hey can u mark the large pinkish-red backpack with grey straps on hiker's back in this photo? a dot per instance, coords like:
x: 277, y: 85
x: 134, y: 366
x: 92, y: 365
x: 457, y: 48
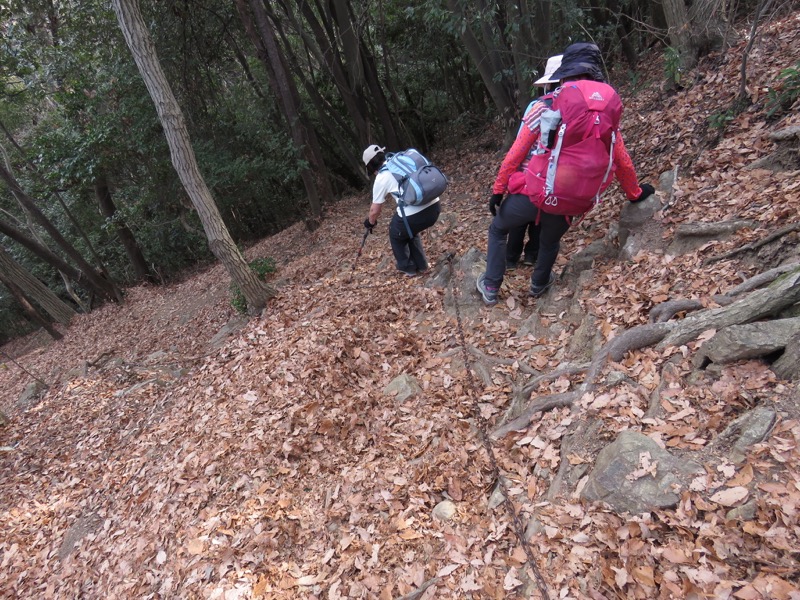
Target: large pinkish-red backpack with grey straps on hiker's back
x: 573, y: 162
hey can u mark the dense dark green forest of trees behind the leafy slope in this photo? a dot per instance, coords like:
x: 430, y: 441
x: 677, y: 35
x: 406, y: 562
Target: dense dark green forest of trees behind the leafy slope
x: 275, y: 101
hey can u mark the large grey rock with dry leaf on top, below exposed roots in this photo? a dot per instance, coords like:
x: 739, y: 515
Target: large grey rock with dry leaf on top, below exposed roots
x: 618, y: 480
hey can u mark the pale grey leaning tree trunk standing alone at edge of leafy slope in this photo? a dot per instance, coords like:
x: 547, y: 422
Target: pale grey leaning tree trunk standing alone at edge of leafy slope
x: 255, y: 291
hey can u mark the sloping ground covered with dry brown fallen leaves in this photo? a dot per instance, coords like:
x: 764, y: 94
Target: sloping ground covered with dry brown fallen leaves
x: 165, y: 462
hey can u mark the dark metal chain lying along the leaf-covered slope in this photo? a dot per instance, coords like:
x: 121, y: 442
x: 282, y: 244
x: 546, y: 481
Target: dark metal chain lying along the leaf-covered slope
x: 487, y: 445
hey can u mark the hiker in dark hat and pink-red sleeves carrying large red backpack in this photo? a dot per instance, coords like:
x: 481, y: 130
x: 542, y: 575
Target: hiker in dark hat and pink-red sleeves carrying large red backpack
x: 575, y: 150
